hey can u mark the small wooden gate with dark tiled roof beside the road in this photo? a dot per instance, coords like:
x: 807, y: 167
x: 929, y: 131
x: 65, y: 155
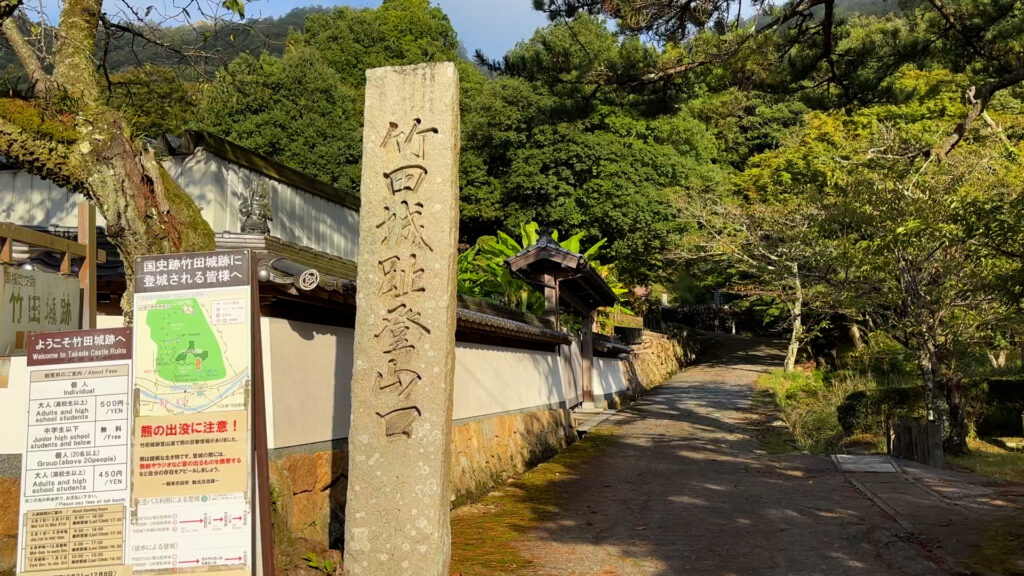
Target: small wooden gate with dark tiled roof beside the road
x: 566, y: 276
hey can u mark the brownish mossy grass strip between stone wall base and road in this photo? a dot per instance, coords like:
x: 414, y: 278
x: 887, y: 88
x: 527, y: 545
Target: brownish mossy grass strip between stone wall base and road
x: 483, y: 533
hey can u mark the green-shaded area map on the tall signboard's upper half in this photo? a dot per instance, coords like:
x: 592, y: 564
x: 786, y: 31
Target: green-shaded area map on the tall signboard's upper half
x: 192, y: 353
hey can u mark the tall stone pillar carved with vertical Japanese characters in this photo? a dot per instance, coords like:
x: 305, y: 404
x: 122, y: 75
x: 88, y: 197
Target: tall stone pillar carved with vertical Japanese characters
x: 397, y: 519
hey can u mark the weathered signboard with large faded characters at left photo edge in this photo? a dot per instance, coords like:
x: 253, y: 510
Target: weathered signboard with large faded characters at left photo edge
x: 32, y: 301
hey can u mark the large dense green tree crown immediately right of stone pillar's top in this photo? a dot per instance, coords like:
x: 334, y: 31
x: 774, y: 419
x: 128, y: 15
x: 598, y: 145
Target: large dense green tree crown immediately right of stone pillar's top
x: 551, y: 141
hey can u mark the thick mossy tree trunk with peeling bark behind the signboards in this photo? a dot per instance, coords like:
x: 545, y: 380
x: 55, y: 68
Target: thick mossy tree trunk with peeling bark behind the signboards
x: 67, y: 135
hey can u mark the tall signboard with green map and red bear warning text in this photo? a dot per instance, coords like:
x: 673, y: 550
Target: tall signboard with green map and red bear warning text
x: 192, y: 497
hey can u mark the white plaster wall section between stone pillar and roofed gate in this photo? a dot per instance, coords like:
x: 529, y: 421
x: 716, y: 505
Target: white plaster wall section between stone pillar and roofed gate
x: 493, y: 380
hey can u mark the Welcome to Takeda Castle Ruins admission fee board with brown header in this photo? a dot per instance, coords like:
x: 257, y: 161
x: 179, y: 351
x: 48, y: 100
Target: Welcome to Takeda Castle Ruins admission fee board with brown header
x: 76, y: 471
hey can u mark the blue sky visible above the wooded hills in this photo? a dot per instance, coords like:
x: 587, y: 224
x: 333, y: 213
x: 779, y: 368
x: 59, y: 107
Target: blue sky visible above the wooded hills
x: 493, y: 26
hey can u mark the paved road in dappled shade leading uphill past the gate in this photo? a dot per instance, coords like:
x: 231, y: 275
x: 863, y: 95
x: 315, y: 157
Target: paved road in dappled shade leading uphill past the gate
x: 682, y: 490
